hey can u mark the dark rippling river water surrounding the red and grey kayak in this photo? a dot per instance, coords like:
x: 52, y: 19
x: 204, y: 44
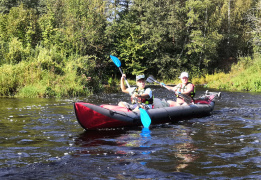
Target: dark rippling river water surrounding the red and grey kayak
x: 41, y: 139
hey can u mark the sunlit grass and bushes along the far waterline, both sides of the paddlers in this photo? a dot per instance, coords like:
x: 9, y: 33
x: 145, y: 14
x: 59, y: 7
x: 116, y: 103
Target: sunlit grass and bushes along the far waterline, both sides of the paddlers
x: 47, y: 73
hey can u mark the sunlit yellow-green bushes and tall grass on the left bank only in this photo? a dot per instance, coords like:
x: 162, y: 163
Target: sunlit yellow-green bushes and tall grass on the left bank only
x: 46, y: 75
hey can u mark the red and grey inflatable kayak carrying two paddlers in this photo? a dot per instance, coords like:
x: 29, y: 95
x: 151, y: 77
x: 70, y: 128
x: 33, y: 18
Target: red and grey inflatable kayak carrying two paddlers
x: 92, y: 116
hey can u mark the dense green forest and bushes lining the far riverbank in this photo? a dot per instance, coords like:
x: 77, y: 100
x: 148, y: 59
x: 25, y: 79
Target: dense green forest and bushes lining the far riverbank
x: 63, y: 47
